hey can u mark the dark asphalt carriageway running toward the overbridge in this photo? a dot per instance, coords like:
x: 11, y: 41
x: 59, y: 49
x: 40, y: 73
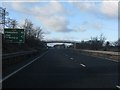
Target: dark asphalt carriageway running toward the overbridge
x: 66, y: 68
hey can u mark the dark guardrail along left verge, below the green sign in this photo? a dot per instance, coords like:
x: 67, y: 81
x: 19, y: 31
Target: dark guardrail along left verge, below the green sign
x: 15, y: 58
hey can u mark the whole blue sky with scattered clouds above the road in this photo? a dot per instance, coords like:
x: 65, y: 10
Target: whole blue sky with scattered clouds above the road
x: 68, y: 20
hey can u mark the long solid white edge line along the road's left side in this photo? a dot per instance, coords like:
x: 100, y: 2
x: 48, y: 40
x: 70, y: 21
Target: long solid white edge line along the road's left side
x: 22, y: 67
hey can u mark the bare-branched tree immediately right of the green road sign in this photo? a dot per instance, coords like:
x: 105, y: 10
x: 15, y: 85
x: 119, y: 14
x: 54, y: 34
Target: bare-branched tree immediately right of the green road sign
x: 33, y: 35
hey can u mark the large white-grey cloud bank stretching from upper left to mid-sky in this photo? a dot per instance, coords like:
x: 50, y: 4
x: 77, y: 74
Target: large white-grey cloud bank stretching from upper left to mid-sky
x: 51, y: 14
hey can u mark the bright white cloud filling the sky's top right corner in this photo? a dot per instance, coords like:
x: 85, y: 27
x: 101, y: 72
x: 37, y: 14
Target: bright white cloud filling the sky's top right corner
x: 103, y: 8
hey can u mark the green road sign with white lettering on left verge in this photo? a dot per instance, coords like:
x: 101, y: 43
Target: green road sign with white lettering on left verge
x: 14, y: 35
